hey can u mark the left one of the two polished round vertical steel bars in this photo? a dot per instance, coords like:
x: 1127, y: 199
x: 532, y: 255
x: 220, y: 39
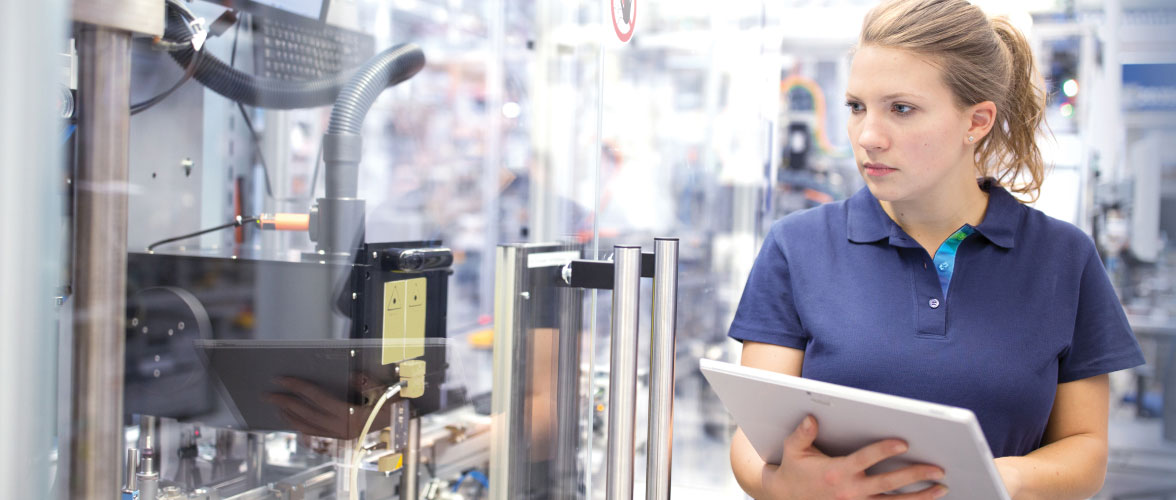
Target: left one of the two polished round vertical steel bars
x: 623, y: 378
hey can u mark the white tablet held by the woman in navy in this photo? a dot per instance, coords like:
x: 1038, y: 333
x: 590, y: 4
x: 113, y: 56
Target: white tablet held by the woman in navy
x: 769, y: 406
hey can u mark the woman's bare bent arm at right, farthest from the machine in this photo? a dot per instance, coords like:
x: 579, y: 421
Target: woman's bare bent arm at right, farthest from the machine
x: 1073, y: 464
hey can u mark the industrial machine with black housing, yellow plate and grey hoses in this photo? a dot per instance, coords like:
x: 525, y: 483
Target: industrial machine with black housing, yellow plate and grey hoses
x: 320, y: 374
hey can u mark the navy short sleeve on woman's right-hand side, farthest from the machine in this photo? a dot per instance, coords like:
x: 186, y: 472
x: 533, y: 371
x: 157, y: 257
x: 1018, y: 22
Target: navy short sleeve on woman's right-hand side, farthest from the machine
x: 1104, y: 341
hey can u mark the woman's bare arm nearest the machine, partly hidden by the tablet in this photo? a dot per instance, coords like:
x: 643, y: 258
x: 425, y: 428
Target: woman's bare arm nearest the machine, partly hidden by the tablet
x: 750, y: 469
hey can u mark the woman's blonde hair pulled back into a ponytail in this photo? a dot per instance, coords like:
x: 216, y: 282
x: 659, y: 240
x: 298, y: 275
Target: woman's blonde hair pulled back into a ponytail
x: 981, y: 59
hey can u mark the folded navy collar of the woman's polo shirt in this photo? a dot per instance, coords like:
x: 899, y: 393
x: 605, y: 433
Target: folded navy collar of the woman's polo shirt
x: 868, y: 223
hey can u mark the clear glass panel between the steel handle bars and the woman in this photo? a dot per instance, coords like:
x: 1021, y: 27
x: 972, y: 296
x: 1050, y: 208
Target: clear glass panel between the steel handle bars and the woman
x: 690, y: 131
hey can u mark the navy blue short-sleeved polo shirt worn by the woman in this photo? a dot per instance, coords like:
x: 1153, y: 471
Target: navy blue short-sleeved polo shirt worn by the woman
x: 1028, y: 306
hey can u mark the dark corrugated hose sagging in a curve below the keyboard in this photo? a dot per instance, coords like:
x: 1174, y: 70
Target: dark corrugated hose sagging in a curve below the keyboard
x: 265, y: 92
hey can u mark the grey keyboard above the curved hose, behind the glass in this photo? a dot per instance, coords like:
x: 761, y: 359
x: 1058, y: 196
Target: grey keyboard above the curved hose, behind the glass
x: 298, y: 49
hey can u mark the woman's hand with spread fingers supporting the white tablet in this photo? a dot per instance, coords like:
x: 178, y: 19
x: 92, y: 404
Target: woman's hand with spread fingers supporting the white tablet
x: 805, y: 472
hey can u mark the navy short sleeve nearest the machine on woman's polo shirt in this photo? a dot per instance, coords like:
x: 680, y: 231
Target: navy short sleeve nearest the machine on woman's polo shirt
x: 767, y: 311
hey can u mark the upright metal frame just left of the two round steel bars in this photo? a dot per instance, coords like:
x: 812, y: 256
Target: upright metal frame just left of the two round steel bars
x: 526, y: 286
